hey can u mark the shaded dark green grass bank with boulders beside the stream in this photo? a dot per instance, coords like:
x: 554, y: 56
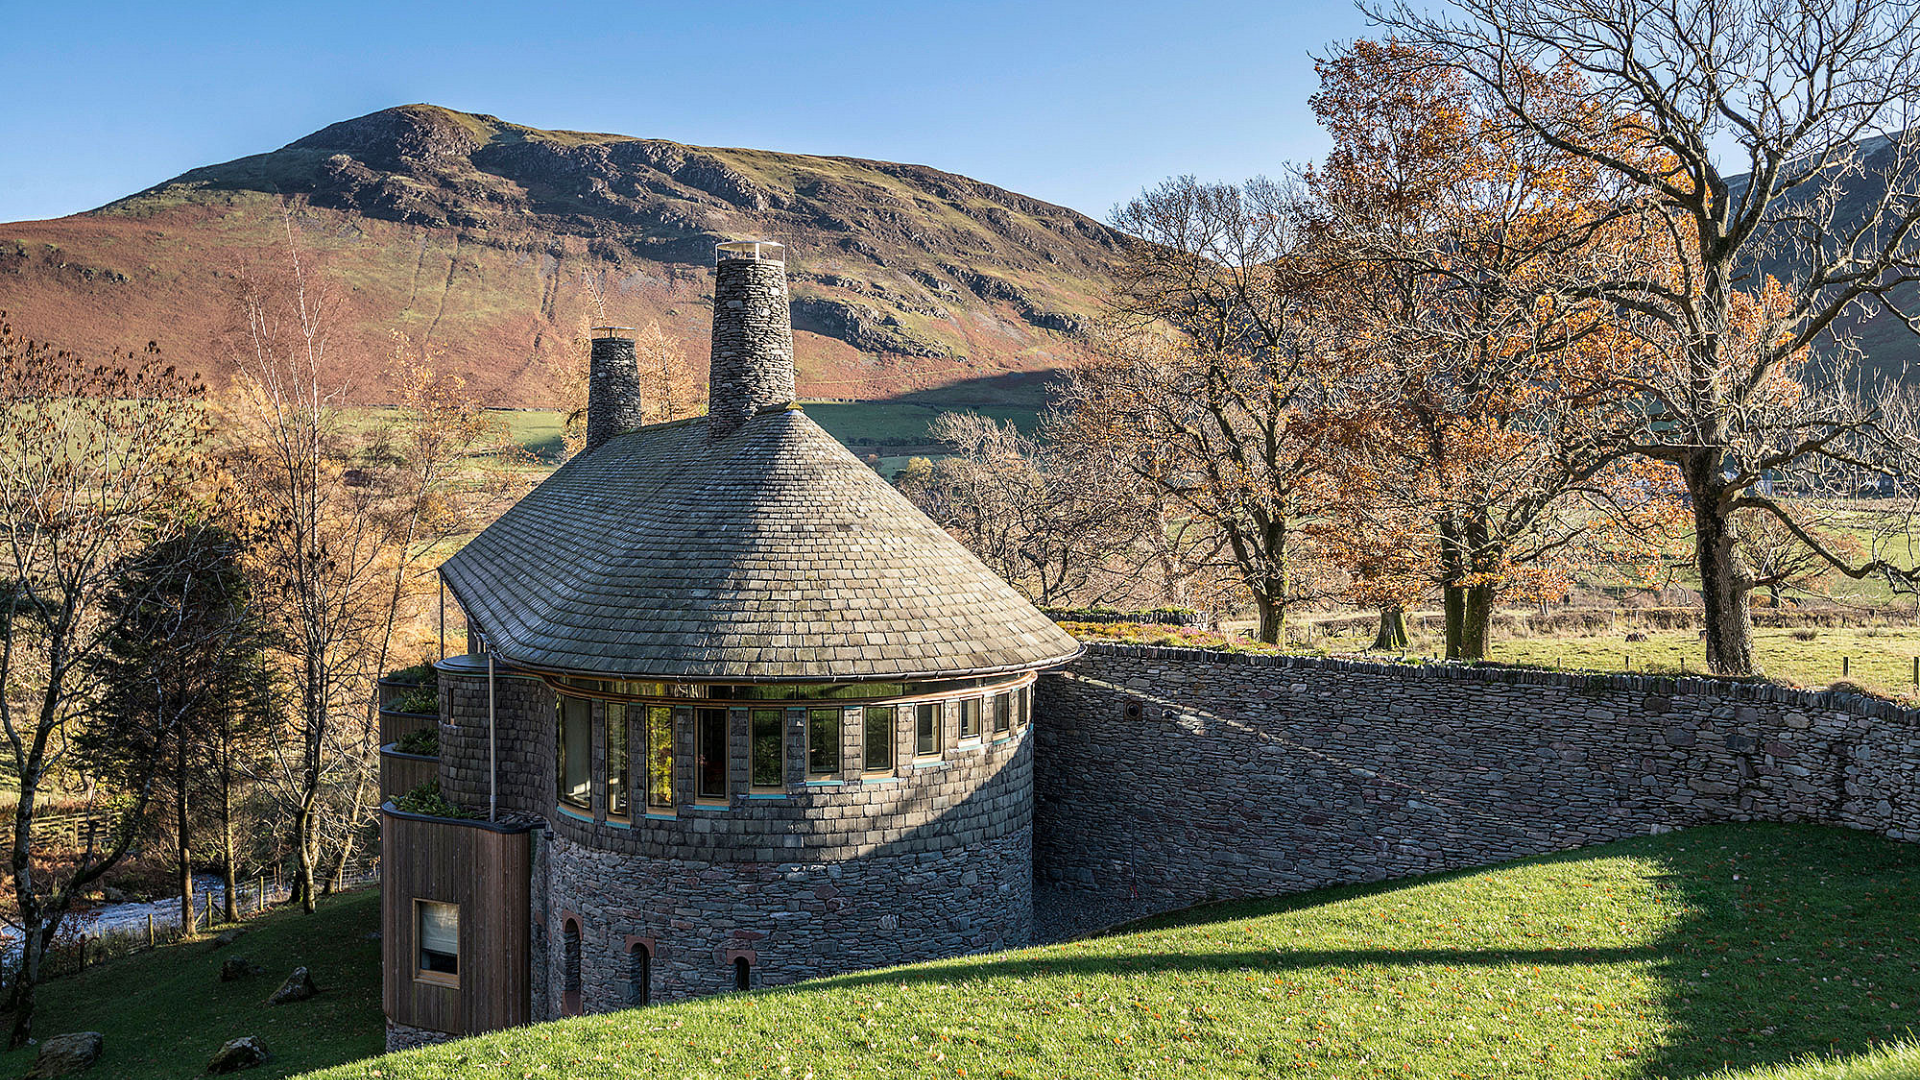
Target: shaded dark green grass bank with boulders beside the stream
x: 166, y: 1012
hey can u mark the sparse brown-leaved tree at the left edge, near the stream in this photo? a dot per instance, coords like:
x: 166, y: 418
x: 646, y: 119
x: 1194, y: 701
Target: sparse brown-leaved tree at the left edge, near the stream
x: 95, y: 460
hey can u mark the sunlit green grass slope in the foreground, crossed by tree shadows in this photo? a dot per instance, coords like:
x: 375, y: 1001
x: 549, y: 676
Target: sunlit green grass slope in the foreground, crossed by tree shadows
x: 1664, y: 956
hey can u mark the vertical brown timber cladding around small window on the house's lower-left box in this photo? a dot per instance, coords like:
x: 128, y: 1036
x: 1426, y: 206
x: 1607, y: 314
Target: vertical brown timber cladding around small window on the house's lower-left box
x: 485, y: 870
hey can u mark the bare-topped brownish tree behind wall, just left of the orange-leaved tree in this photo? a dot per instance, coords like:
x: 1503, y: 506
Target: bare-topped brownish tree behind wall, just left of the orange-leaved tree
x: 1207, y: 380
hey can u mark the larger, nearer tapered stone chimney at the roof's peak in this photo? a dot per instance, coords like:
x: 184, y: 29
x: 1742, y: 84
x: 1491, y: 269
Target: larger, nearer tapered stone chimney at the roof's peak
x: 754, y: 335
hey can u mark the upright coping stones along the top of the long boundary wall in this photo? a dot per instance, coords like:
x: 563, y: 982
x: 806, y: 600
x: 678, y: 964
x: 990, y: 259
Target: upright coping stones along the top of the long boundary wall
x: 1602, y: 681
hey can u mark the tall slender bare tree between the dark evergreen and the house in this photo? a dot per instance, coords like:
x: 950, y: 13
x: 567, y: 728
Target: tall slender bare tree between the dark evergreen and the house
x: 318, y: 541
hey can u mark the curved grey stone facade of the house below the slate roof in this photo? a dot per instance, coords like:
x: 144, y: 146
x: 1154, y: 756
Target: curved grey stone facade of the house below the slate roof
x: 926, y: 860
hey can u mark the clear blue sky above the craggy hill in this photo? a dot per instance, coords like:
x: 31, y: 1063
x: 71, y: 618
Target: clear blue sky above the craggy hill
x: 1076, y: 103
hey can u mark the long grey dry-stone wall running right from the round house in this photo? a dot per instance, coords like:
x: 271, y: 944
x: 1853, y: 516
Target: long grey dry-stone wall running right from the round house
x: 1170, y: 777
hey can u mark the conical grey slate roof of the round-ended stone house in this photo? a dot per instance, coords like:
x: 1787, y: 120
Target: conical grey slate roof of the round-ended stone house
x: 769, y: 554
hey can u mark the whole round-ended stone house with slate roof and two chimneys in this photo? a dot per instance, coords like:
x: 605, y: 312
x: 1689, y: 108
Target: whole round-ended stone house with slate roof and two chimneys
x: 732, y: 714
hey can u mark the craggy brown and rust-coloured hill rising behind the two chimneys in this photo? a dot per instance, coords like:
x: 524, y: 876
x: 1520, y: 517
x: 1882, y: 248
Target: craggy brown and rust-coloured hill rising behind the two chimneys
x: 483, y: 237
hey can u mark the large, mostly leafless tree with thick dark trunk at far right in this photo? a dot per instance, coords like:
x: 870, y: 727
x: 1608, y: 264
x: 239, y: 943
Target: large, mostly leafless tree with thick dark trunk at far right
x: 1777, y: 178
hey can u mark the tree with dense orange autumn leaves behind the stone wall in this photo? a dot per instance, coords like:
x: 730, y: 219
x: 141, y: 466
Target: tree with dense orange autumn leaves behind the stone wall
x: 1479, y: 405
